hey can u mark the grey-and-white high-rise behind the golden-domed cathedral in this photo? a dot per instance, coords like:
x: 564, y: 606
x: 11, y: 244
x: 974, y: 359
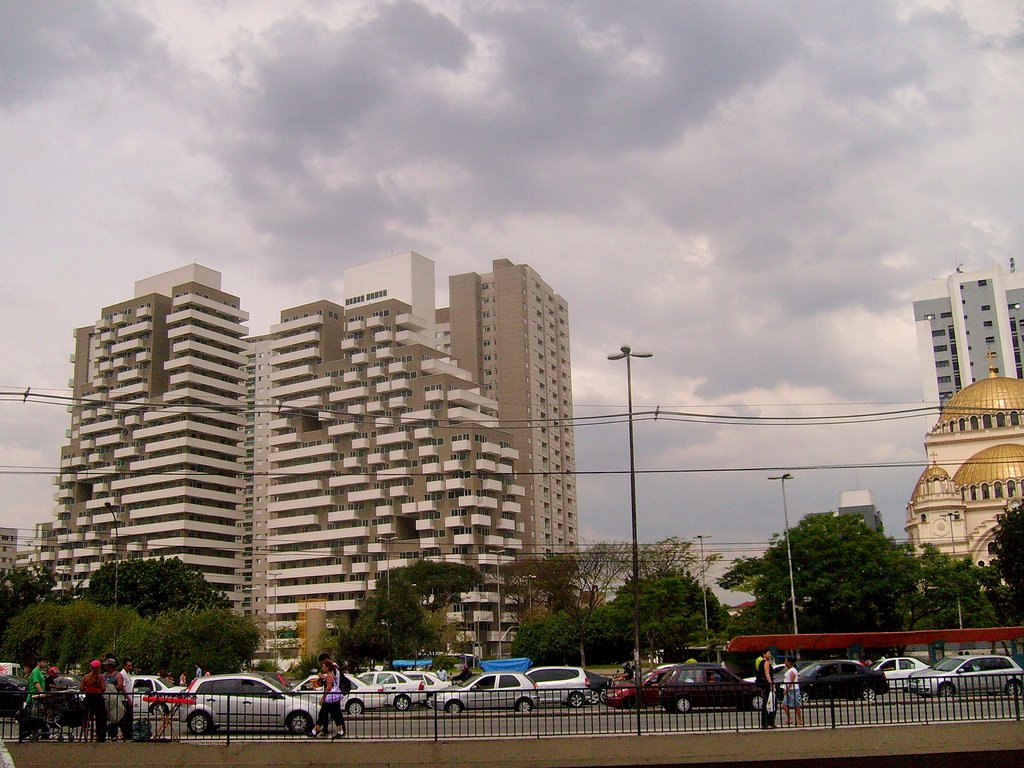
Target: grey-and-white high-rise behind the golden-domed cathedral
x: 966, y: 324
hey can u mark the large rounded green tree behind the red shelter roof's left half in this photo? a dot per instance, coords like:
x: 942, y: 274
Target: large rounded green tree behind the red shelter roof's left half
x: 848, y: 578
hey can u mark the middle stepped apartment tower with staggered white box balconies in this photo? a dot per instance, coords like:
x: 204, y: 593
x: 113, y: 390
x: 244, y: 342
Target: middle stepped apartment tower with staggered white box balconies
x: 383, y: 451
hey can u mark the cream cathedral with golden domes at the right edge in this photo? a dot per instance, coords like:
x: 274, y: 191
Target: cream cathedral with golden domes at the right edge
x: 976, y: 472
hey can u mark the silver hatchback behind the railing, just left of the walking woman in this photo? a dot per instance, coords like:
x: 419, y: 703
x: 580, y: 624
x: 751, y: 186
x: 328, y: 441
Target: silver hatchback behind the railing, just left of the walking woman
x: 249, y: 702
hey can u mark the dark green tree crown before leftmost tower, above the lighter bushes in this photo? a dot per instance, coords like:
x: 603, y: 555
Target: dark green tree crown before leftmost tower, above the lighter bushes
x: 154, y: 586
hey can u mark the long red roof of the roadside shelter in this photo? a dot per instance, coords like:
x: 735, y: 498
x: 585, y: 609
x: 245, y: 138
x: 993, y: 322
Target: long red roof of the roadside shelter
x: 874, y: 639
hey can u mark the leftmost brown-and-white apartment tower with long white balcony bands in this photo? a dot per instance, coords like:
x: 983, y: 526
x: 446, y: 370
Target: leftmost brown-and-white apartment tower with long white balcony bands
x: 154, y: 456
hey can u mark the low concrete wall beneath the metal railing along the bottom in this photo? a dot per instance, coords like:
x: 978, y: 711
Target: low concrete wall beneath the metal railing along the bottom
x: 978, y: 744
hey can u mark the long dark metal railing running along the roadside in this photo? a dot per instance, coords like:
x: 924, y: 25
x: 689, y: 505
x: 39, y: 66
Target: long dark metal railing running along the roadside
x: 452, y: 714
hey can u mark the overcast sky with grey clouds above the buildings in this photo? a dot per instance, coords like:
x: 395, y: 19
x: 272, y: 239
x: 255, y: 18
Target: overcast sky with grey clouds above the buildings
x: 749, y: 191
